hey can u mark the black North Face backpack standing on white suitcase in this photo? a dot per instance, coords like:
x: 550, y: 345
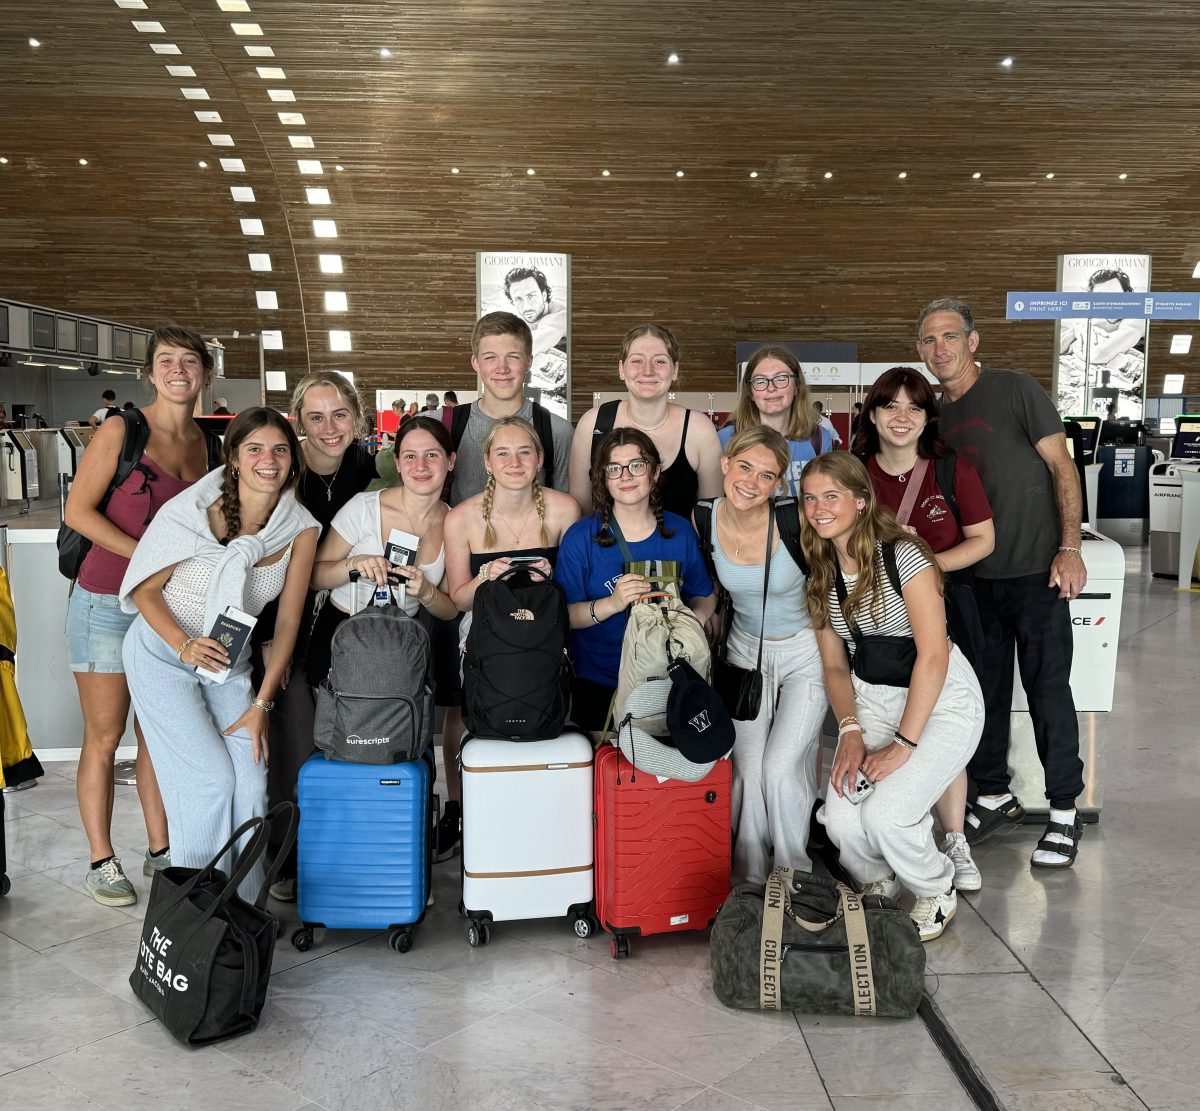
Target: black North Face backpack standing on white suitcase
x: 517, y: 676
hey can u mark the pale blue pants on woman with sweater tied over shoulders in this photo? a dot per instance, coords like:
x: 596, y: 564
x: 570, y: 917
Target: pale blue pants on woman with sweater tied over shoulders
x: 211, y: 784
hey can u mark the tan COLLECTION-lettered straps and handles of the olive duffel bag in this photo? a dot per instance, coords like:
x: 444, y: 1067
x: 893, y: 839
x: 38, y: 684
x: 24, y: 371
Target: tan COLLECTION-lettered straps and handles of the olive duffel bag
x: 778, y: 903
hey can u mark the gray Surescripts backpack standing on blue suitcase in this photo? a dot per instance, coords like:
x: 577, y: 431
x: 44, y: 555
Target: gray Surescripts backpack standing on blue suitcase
x: 376, y: 706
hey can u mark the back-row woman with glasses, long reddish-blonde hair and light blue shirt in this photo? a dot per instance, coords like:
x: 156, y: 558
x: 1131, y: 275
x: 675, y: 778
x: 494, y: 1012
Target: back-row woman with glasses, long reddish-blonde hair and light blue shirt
x: 776, y: 395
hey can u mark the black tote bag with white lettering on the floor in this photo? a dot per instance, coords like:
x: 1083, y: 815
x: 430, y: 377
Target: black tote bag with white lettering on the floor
x: 206, y: 954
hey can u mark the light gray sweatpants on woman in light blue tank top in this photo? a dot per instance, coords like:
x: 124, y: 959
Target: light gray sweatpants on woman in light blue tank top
x: 775, y: 756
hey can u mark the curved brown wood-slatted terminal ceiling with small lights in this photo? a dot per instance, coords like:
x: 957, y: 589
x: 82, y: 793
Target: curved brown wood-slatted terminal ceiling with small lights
x: 842, y: 164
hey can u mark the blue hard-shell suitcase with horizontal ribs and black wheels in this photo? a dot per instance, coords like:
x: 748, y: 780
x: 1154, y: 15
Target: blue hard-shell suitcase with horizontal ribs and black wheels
x: 364, y: 849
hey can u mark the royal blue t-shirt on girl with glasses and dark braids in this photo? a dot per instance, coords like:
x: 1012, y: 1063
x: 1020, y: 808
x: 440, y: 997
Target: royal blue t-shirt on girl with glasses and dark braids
x: 585, y: 572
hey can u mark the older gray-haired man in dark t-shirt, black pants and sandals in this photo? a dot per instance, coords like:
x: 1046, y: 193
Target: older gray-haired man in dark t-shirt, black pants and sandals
x: 1006, y: 425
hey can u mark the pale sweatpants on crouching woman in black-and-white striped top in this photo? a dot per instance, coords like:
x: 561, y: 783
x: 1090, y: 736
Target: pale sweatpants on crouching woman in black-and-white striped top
x: 892, y: 830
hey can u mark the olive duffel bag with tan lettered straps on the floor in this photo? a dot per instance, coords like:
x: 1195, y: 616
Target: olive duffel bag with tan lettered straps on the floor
x: 812, y: 945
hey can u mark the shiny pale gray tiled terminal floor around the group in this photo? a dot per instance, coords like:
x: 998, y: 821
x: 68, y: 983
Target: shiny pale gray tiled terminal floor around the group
x: 1070, y: 990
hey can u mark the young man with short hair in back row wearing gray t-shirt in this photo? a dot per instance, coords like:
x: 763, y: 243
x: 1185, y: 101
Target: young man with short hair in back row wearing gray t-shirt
x: 502, y: 357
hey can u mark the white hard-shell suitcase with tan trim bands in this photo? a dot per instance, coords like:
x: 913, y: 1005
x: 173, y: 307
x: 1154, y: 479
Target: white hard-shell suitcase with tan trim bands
x: 527, y: 842
